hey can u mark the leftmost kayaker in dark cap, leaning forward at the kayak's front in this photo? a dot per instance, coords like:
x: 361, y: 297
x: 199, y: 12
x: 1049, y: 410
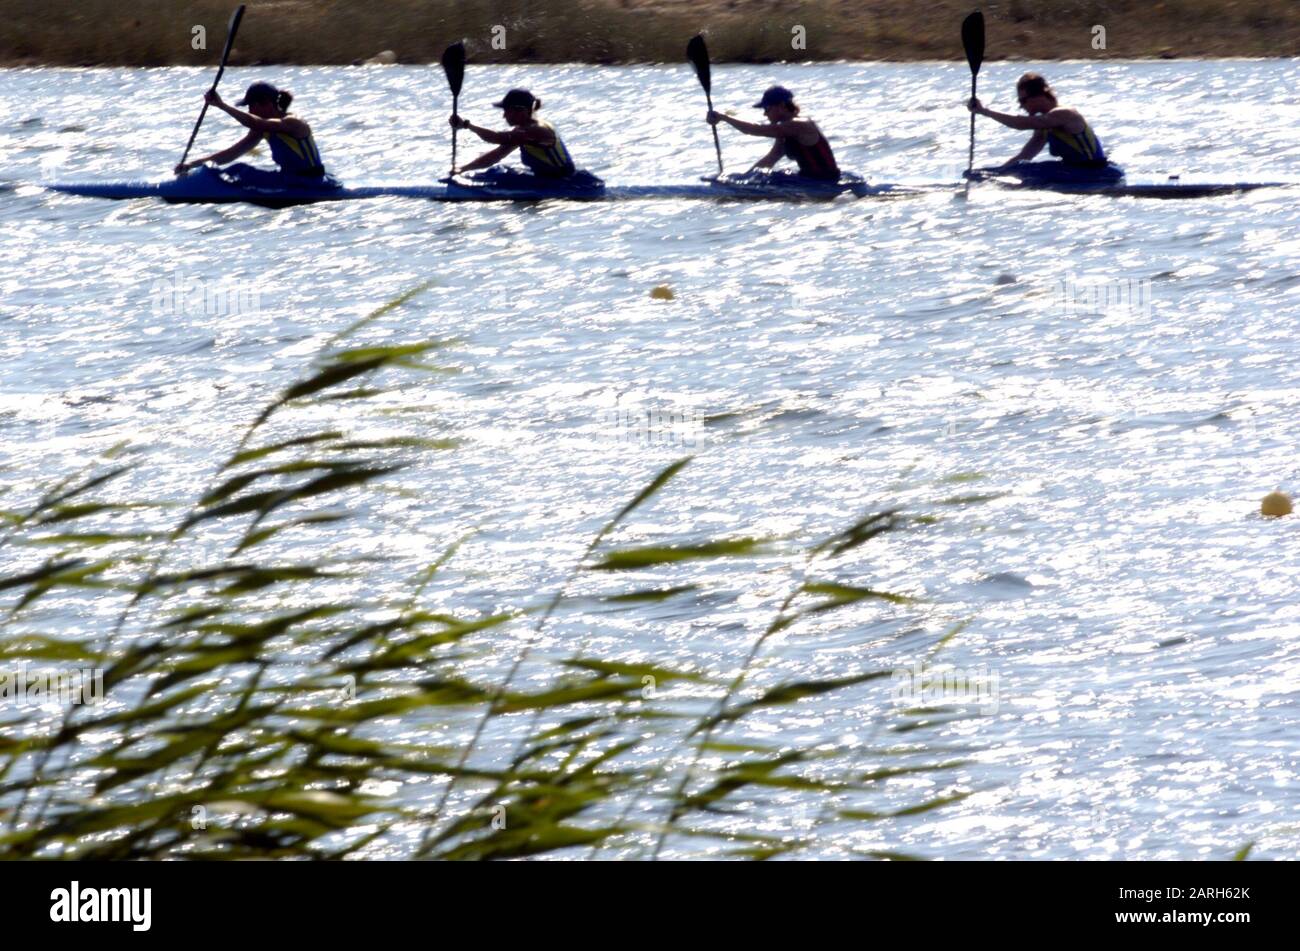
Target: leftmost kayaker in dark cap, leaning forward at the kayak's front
x: 291, y: 140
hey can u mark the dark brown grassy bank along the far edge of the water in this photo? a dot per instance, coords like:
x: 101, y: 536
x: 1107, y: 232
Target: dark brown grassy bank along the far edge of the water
x: 154, y: 33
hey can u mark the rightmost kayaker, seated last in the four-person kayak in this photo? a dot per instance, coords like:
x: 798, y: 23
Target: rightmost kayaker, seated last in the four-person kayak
x: 1078, y: 153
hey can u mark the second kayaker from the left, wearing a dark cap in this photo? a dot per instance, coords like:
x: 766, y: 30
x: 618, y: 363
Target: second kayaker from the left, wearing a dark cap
x: 540, y: 147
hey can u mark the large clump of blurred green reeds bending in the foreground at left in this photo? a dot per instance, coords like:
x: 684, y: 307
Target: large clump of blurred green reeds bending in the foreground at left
x: 270, y: 692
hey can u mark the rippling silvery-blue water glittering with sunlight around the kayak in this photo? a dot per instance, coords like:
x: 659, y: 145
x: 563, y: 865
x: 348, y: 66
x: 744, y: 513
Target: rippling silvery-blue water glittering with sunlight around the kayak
x: 1117, y: 377
